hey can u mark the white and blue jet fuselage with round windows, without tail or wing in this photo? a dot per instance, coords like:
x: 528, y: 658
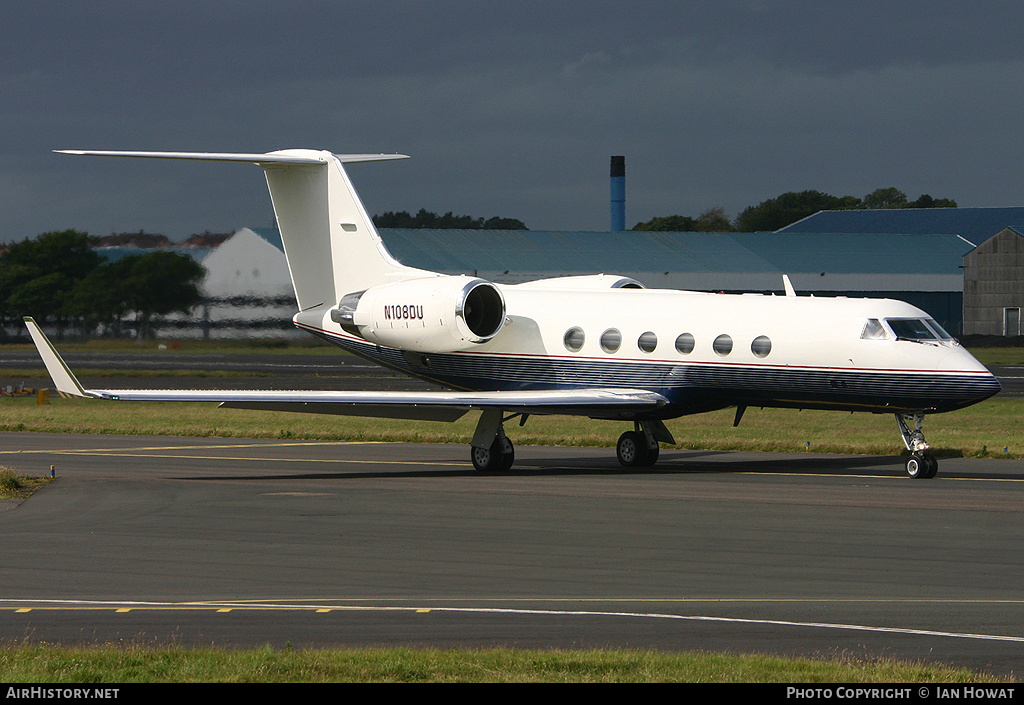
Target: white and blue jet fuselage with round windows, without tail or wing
x: 702, y: 352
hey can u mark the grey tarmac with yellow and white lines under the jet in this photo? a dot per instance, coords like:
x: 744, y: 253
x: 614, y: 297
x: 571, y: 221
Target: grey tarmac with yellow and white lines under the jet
x: 253, y: 543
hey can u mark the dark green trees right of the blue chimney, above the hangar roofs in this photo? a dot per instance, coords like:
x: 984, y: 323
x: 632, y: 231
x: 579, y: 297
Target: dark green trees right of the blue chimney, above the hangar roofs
x: 788, y: 210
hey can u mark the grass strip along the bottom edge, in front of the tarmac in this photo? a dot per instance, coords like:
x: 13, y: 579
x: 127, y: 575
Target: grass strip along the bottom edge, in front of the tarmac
x: 117, y: 665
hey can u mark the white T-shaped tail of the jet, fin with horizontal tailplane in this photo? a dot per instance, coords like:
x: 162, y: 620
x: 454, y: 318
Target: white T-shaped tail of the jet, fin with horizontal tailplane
x: 331, y: 244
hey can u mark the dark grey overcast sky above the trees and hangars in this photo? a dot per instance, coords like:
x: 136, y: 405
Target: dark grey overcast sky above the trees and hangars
x: 508, y: 109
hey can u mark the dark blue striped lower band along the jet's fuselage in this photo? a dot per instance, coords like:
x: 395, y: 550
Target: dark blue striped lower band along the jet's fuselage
x: 692, y: 388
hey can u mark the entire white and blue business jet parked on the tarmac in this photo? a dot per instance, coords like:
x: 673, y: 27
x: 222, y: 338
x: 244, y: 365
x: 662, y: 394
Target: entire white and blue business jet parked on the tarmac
x: 599, y: 346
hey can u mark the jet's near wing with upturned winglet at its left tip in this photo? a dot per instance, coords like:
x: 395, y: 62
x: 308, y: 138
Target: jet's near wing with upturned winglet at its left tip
x: 441, y: 406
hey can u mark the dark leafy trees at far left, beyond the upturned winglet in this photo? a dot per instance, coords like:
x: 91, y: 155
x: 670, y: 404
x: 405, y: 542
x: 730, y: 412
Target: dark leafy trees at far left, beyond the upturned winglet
x: 60, y: 279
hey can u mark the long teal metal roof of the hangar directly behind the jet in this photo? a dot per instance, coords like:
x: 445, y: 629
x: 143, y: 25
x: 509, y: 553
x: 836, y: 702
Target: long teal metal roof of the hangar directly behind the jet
x: 476, y: 251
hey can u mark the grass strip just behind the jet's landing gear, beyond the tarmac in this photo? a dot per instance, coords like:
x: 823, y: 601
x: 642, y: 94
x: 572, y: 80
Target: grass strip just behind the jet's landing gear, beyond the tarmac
x: 983, y: 431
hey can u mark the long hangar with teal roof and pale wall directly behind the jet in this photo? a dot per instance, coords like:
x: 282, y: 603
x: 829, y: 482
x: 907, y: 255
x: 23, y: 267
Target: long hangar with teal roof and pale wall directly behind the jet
x: 824, y: 265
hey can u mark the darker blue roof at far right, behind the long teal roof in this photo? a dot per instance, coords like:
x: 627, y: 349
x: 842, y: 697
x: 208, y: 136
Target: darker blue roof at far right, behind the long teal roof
x: 976, y: 225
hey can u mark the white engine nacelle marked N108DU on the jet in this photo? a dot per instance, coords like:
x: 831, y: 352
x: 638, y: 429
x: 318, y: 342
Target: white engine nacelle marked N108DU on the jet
x: 433, y: 315
